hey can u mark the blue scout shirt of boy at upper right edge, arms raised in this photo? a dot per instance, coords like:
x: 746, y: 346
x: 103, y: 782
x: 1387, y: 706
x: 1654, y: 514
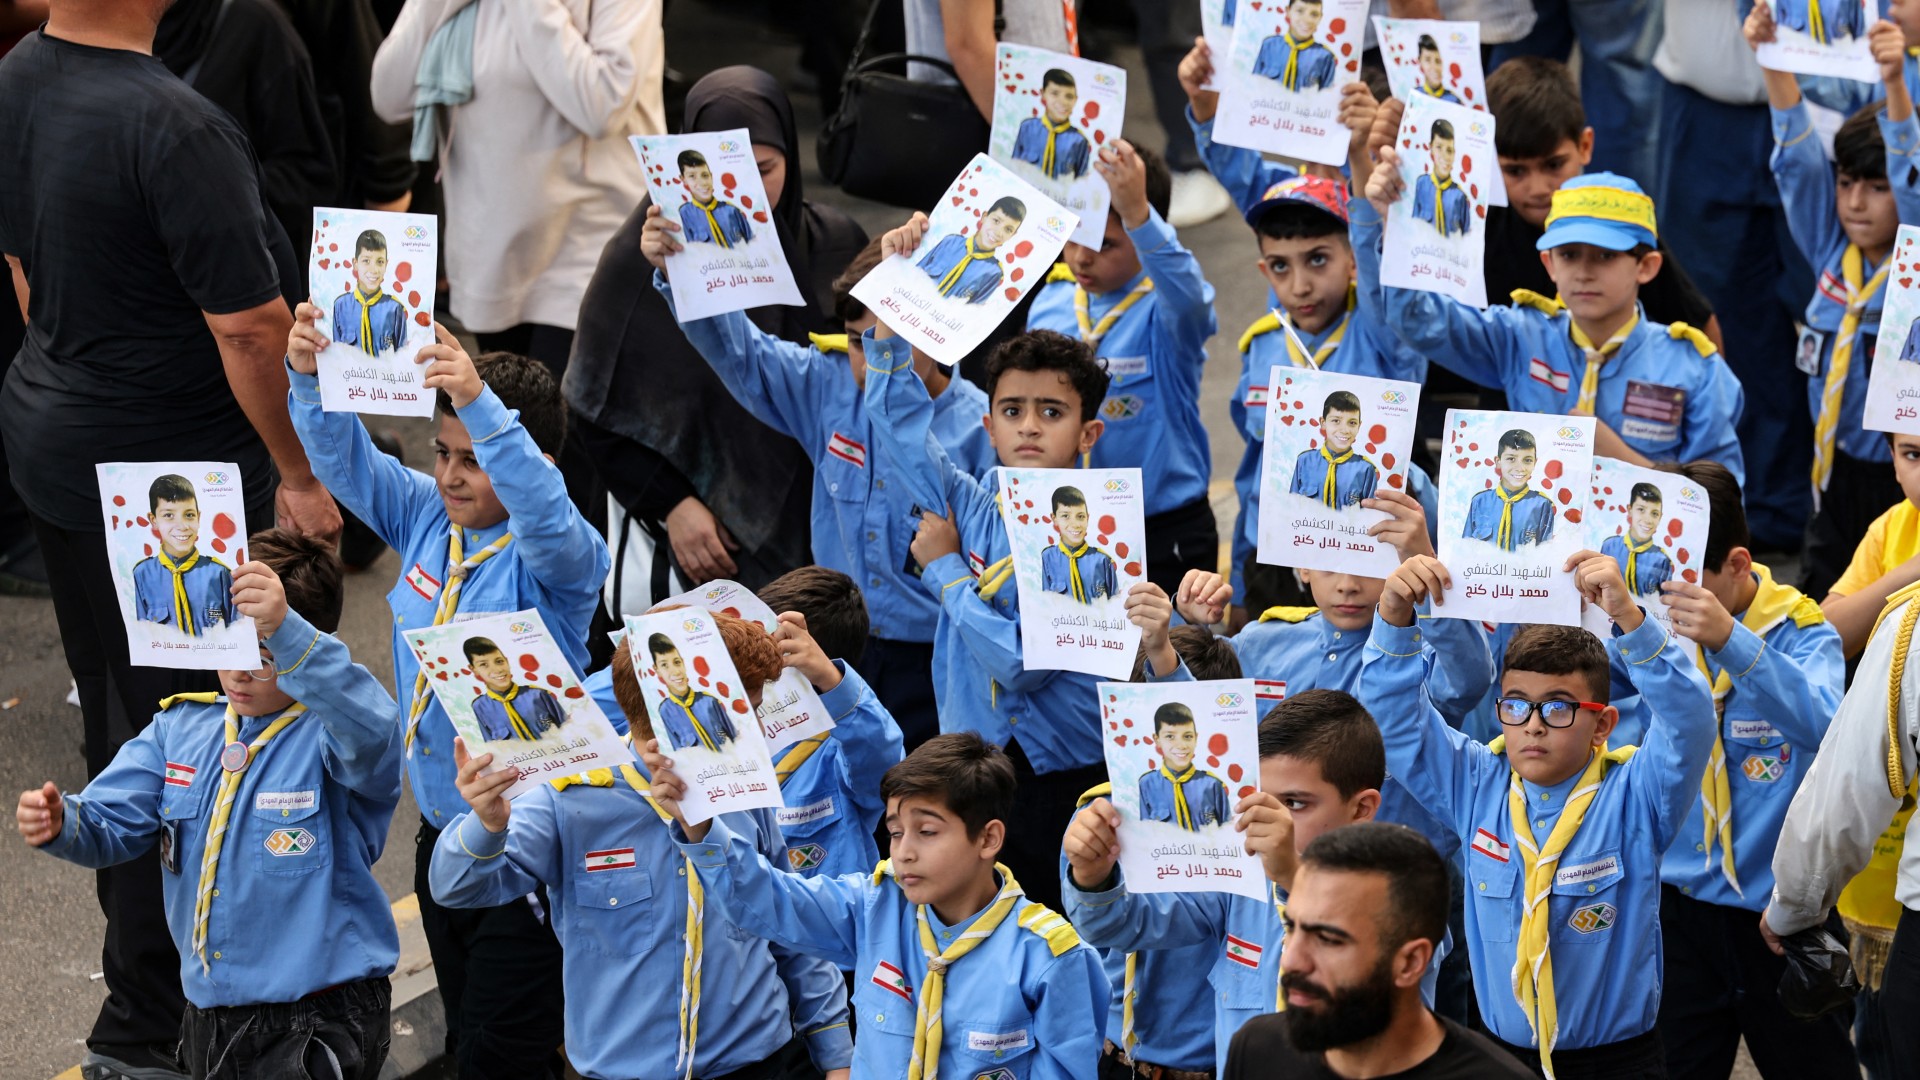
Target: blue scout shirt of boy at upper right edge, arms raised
x: 1806, y: 180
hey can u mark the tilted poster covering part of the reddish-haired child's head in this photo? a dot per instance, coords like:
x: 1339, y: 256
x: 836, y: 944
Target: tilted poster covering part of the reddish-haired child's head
x: 700, y: 708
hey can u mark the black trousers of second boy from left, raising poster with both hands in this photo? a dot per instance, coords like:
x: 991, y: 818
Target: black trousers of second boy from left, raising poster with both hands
x: 500, y: 981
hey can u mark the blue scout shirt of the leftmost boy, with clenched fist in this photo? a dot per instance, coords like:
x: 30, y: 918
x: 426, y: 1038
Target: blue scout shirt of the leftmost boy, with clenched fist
x: 308, y: 823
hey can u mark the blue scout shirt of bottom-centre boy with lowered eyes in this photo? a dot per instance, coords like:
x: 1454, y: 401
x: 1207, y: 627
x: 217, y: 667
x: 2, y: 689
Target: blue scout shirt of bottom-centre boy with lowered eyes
x: 1024, y: 1004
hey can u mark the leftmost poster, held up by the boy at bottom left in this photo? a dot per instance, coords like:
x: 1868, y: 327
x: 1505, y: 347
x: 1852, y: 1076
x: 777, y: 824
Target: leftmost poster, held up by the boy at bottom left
x: 176, y: 533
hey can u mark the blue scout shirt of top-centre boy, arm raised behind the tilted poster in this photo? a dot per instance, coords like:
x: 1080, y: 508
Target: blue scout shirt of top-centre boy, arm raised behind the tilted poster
x: 1155, y: 356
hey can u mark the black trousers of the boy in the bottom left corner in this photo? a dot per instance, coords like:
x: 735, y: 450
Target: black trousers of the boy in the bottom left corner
x: 337, y: 1035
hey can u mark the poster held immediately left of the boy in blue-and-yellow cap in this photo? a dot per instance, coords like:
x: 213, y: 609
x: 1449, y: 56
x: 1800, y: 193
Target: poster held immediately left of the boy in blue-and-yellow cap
x: 1437, y: 232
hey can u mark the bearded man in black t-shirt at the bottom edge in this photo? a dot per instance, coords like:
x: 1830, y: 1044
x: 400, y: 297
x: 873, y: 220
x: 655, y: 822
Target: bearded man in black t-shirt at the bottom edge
x: 1364, y: 918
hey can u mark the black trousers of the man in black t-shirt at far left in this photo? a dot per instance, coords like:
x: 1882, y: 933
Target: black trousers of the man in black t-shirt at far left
x: 118, y: 700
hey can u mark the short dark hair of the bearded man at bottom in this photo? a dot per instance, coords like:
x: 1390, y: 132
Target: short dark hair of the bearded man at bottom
x: 1418, y: 891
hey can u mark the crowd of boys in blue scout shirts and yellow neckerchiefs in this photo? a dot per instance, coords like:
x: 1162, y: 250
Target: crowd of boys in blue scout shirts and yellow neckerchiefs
x: 942, y: 895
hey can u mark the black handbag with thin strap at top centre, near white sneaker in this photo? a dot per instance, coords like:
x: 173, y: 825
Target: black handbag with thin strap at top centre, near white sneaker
x: 894, y: 139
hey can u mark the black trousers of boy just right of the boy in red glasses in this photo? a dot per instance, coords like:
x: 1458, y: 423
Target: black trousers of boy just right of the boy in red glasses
x: 1723, y: 985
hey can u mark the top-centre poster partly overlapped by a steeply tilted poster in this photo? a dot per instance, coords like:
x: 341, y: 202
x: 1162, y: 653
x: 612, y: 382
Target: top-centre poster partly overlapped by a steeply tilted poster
x: 1051, y: 118
